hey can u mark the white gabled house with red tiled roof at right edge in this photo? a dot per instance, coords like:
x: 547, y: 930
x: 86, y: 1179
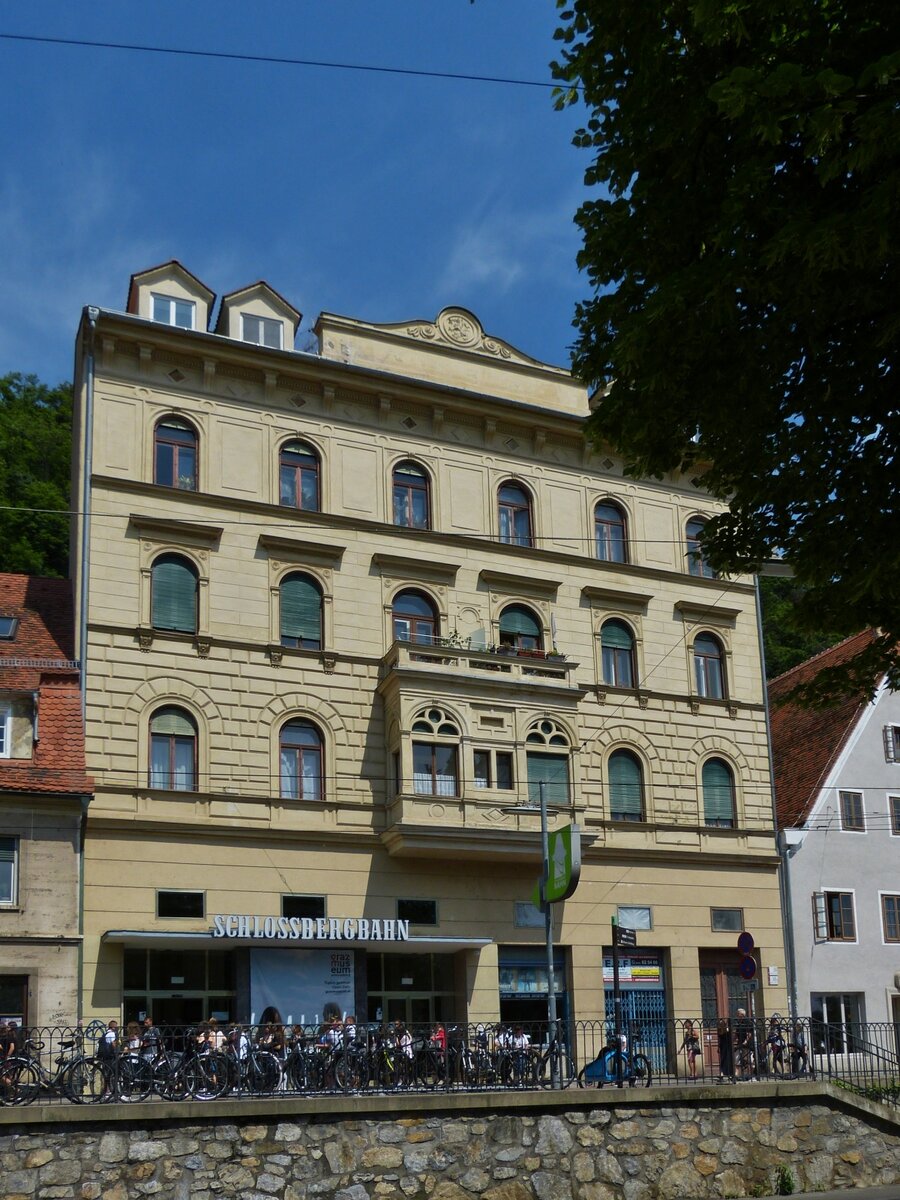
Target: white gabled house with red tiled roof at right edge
x: 838, y: 788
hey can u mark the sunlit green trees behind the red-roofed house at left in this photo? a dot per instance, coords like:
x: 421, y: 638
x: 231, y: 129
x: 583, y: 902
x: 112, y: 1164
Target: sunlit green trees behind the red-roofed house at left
x: 35, y: 455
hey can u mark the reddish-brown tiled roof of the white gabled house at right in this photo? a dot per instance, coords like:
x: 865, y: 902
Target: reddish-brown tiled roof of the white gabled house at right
x: 806, y: 742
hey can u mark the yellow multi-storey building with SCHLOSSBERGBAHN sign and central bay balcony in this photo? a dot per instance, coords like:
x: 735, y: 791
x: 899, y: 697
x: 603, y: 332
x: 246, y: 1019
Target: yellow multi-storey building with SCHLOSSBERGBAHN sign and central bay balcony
x: 340, y: 613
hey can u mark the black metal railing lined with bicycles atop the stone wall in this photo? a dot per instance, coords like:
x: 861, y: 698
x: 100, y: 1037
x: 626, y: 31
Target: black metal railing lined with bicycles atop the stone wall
x: 100, y: 1065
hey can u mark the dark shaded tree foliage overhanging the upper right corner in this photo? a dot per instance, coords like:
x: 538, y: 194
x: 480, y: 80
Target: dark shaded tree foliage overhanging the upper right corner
x: 742, y: 255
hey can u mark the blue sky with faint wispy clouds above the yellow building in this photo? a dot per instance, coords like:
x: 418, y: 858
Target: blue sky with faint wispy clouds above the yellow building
x: 376, y: 196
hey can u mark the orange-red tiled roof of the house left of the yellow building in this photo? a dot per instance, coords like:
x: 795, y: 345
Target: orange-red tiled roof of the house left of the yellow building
x: 39, y: 659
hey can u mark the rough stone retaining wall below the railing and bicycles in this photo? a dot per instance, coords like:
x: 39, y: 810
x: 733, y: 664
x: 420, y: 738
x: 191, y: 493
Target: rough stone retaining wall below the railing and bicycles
x: 535, y: 1148
